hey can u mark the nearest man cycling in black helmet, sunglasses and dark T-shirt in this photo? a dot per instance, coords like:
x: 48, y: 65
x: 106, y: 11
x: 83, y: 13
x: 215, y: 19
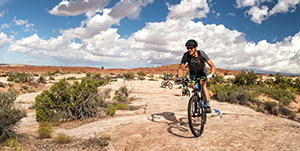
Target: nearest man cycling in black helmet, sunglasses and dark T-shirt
x: 196, y: 60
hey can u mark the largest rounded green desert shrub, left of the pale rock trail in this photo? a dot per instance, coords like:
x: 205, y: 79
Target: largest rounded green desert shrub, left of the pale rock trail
x: 66, y: 102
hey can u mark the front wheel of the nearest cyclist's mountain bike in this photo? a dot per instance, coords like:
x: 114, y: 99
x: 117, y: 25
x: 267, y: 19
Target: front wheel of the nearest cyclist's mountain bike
x: 196, y: 116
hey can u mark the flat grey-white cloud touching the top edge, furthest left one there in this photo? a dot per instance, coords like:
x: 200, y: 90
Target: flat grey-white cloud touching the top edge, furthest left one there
x: 76, y: 7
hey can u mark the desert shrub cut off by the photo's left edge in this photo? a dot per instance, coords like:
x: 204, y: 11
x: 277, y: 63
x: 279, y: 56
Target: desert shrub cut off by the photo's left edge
x: 10, y: 114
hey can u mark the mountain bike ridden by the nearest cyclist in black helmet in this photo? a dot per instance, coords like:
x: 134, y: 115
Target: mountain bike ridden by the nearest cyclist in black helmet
x: 196, y: 110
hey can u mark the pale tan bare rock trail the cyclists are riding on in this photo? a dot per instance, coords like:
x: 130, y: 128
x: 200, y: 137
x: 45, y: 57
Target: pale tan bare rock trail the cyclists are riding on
x: 161, y: 124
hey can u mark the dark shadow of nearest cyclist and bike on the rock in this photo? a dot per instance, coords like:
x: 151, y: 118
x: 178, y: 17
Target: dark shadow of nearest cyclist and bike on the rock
x: 177, y: 127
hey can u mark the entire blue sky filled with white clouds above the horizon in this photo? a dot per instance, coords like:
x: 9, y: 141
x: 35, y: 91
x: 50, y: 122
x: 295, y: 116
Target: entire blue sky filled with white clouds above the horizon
x: 259, y: 35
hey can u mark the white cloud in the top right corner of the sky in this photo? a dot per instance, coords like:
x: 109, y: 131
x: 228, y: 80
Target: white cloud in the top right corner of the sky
x: 261, y: 12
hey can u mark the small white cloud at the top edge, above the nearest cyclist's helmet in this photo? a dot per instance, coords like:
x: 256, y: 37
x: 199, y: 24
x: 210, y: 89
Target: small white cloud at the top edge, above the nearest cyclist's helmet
x: 188, y: 9
